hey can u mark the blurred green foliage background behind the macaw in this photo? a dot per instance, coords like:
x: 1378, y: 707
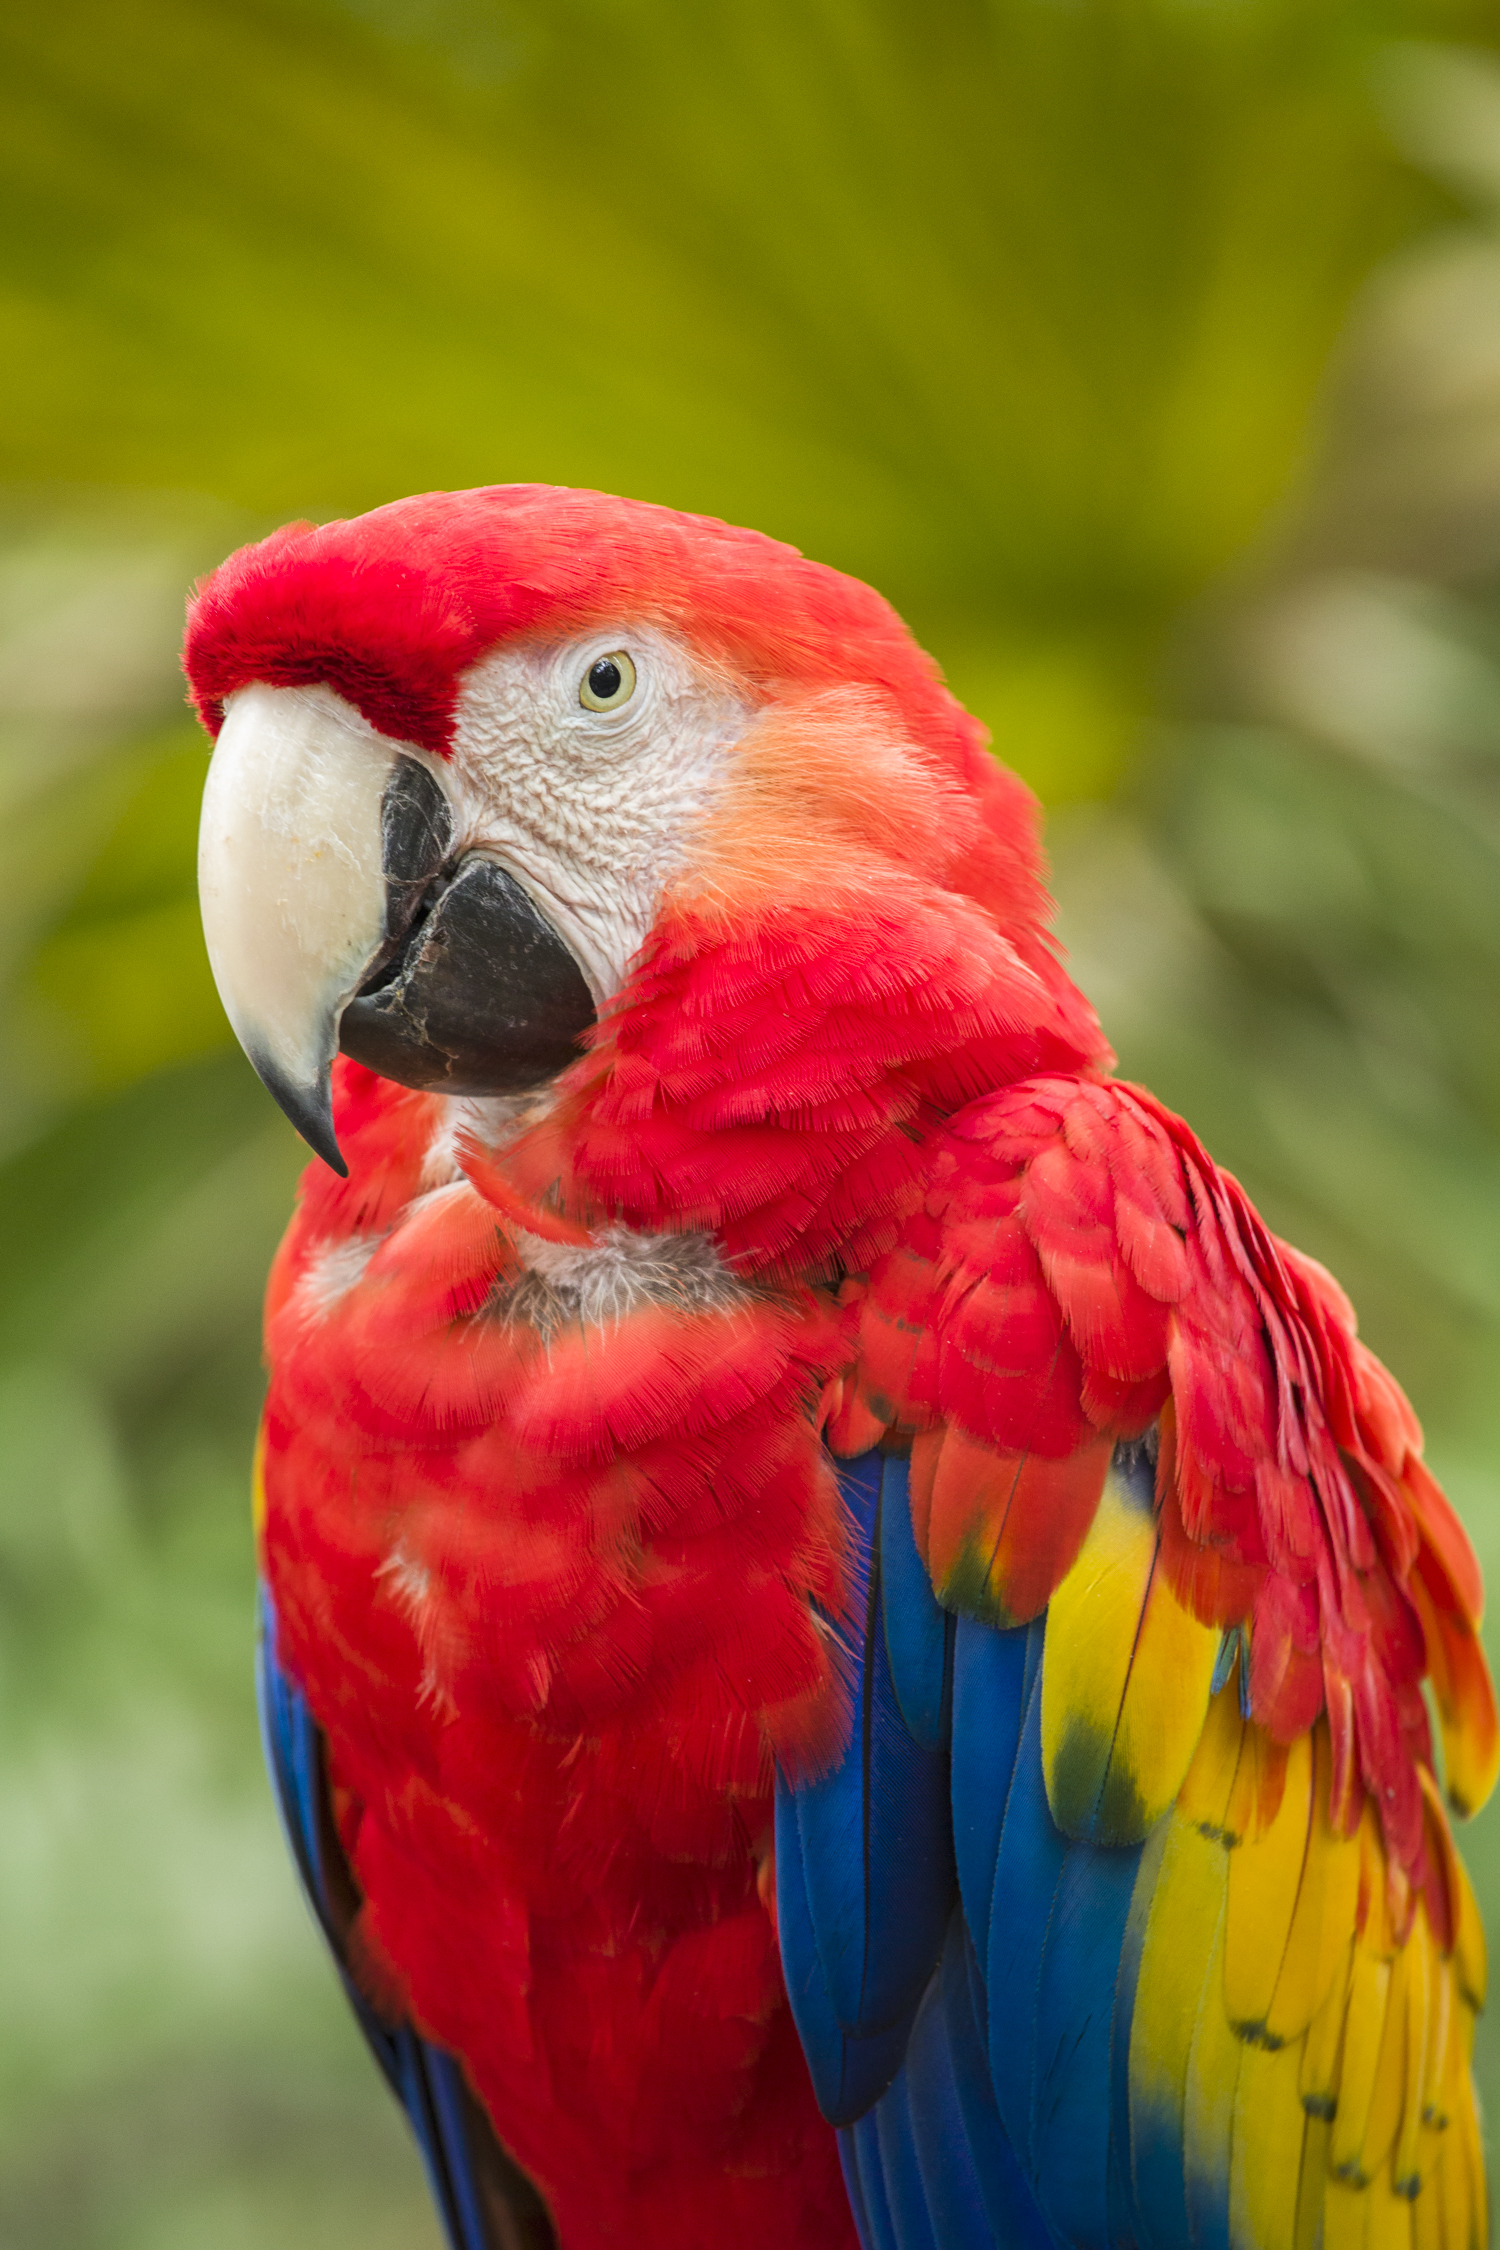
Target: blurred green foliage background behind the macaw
x: 1146, y: 352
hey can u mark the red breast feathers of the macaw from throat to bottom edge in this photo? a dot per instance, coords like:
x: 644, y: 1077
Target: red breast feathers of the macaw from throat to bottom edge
x: 552, y: 1596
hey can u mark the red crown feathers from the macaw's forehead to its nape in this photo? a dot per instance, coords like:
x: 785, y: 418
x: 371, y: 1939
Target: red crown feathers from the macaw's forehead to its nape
x: 392, y: 611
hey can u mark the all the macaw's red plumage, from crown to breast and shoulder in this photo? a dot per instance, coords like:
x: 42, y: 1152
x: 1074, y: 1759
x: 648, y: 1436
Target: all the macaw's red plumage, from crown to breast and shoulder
x: 550, y: 1581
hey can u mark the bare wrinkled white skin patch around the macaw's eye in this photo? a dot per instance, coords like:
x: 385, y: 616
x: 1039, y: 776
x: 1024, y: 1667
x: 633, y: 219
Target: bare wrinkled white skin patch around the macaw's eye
x: 590, y: 811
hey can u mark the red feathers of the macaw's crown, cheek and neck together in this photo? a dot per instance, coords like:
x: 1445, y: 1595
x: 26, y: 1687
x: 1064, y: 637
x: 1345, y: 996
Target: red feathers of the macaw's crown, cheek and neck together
x: 869, y: 906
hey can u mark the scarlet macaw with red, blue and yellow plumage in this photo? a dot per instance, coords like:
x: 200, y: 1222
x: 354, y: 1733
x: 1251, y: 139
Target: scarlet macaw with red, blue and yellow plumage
x: 847, y: 1637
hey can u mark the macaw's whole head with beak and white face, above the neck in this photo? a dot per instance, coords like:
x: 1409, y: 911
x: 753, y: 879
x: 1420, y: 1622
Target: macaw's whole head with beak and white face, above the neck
x: 480, y: 753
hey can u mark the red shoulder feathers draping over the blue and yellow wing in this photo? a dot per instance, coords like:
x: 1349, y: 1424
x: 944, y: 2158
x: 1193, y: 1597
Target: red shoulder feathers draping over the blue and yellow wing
x: 1083, y: 1270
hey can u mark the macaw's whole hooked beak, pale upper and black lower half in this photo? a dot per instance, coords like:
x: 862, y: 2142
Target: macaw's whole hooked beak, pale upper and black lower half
x: 338, y: 917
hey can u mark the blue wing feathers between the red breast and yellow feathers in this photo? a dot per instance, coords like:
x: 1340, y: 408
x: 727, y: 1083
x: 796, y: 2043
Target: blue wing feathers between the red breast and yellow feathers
x: 1000, y: 2109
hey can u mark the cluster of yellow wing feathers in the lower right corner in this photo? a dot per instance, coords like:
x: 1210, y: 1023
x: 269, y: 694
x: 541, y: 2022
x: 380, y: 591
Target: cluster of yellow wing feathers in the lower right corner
x: 1299, y: 2022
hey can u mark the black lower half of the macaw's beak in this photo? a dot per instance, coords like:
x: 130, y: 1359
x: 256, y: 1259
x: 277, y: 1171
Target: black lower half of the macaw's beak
x: 480, y: 998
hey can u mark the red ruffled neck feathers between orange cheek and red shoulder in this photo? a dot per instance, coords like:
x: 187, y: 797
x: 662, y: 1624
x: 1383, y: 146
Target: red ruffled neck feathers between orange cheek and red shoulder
x: 779, y: 1088
